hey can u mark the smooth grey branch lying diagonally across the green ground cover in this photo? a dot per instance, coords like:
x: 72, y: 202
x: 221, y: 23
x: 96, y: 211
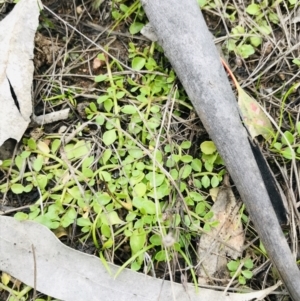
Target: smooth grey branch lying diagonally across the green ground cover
x: 184, y: 36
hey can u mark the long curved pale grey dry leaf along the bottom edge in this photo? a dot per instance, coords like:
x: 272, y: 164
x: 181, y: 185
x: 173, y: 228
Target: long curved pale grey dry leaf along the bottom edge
x: 70, y: 275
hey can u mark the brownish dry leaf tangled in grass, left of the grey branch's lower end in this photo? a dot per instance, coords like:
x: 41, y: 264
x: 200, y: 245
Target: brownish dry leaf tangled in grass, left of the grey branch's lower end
x: 226, y: 240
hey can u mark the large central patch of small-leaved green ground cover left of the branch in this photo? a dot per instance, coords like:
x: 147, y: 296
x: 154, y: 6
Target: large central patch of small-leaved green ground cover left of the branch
x: 137, y: 185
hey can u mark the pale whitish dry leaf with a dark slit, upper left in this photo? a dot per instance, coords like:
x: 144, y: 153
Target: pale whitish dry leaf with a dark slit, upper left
x: 17, y: 33
